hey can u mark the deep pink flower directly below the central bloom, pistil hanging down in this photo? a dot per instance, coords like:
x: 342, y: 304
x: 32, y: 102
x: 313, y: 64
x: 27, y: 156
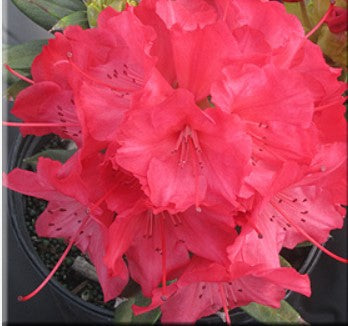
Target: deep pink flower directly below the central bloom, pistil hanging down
x: 150, y: 240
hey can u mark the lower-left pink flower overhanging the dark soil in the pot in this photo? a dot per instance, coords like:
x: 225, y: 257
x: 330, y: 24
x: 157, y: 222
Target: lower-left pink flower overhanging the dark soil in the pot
x: 71, y: 215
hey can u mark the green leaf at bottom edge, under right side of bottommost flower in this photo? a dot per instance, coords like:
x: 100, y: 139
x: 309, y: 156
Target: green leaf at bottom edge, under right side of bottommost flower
x: 285, y: 314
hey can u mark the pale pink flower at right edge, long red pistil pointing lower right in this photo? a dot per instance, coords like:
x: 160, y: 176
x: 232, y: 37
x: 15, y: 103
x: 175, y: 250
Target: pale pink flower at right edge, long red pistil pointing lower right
x: 295, y: 201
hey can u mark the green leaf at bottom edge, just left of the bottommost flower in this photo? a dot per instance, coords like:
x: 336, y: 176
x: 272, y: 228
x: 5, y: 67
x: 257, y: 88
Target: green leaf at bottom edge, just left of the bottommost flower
x: 124, y: 312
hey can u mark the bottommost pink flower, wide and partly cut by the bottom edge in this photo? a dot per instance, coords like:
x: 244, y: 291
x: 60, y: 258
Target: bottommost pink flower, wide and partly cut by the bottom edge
x: 211, y: 286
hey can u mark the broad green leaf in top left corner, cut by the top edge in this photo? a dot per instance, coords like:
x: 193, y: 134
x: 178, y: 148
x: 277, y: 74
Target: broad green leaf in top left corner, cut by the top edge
x: 47, y: 13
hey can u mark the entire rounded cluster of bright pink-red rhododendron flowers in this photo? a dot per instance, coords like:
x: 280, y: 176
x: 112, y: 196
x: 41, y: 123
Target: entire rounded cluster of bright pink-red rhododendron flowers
x: 210, y: 135
